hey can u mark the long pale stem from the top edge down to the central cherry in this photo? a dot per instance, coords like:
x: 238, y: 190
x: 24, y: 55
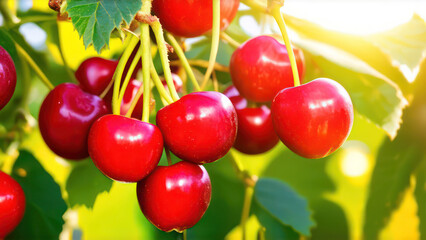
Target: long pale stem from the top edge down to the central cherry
x: 215, y: 41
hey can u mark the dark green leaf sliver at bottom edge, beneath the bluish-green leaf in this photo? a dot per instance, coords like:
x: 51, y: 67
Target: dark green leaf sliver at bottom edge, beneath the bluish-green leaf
x: 274, y: 228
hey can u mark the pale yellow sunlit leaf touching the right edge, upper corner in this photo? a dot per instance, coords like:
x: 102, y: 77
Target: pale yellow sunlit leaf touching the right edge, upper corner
x: 405, y: 43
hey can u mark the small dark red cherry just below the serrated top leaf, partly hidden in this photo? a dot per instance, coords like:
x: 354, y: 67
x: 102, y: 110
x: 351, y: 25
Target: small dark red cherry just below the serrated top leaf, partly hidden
x: 94, y: 74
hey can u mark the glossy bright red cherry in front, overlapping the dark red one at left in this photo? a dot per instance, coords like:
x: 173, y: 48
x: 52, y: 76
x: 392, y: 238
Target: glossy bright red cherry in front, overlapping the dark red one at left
x: 125, y: 149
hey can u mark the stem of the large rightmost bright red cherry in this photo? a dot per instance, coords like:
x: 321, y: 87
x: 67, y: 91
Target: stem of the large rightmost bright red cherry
x: 276, y: 13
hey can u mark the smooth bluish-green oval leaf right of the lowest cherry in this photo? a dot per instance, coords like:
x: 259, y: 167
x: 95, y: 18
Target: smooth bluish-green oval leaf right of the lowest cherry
x: 284, y: 204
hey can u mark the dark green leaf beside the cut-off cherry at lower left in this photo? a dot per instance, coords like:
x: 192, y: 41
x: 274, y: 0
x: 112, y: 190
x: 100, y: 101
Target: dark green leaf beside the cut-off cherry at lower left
x: 44, y: 203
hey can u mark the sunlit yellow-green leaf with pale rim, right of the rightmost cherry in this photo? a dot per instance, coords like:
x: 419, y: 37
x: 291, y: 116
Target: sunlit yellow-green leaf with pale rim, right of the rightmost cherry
x: 373, y: 94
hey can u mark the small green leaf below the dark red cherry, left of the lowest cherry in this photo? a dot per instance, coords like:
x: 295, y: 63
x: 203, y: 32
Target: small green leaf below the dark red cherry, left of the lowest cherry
x: 85, y: 183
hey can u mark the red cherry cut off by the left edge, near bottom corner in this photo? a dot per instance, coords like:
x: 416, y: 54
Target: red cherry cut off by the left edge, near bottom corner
x: 12, y: 204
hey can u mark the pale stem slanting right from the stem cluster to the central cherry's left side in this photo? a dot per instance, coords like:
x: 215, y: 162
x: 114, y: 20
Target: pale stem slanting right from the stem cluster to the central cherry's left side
x: 162, y: 48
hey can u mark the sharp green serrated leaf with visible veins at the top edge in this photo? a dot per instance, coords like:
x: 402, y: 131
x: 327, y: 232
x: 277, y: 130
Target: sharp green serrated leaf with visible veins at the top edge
x: 95, y: 20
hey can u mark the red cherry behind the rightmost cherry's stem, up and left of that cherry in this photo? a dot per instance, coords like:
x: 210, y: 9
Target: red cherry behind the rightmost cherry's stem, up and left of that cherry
x: 260, y: 68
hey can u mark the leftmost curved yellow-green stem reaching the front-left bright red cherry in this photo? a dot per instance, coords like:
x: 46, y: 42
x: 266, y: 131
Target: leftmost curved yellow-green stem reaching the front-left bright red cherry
x: 118, y: 74
